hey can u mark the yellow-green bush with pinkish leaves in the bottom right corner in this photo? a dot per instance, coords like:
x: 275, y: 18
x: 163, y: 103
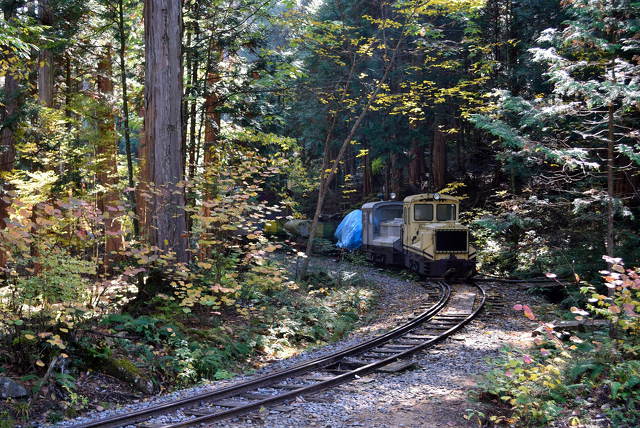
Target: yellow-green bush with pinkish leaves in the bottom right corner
x: 570, y: 381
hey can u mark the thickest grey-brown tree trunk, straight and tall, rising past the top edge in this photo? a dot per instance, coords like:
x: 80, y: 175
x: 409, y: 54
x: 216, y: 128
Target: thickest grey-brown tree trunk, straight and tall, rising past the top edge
x: 163, y: 127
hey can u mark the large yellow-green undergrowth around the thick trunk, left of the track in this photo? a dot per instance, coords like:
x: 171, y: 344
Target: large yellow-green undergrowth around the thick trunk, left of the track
x: 77, y: 293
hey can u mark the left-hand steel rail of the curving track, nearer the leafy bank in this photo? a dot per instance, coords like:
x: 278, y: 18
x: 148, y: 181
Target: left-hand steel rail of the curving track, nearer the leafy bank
x: 129, y: 418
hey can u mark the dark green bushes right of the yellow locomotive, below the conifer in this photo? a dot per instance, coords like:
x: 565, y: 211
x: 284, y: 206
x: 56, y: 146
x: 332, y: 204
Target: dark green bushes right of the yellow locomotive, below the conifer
x: 513, y: 237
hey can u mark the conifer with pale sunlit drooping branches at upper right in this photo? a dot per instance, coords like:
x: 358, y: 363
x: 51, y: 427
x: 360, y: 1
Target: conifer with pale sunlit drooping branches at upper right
x: 578, y: 133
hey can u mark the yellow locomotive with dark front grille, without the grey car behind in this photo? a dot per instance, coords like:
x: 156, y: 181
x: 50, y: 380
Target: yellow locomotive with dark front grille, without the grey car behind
x: 434, y: 242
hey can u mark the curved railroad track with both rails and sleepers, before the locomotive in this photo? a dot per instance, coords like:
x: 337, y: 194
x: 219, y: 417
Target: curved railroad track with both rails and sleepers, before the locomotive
x: 451, y: 311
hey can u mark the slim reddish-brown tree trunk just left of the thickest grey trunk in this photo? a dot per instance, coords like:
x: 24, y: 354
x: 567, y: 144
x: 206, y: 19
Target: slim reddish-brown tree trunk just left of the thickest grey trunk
x: 107, y: 162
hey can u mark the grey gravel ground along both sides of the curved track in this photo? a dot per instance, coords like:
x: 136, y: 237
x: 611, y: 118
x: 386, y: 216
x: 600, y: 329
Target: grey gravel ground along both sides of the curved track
x: 434, y: 393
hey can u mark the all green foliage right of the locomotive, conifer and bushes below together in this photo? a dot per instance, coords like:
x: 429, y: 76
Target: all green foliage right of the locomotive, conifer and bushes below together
x: 551, y: 146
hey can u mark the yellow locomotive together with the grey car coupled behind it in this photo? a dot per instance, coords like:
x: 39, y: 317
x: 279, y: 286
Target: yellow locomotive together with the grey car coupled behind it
x: 421, y: 233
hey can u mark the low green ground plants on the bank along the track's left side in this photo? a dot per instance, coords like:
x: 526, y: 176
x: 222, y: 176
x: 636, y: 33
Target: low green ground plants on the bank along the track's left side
x: 275, y: 317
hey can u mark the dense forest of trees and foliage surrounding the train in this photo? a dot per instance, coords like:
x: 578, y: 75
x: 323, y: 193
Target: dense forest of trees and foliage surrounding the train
x: 145, y: 145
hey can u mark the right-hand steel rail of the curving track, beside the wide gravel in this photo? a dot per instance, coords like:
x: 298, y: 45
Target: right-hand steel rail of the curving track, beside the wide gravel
x: 343, y: 378
